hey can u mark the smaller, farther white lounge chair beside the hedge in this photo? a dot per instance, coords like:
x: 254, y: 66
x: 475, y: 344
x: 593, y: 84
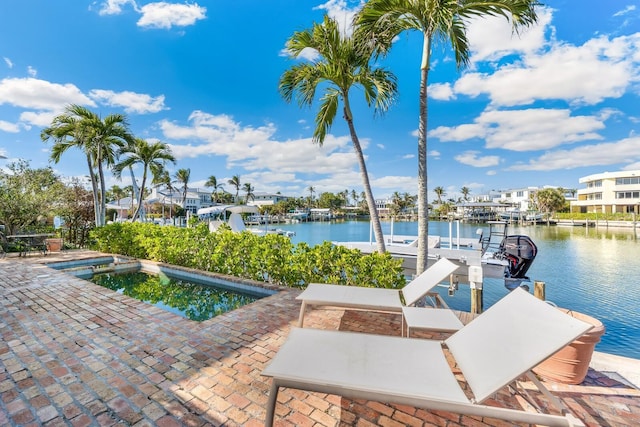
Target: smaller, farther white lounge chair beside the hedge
x: 377, y: 299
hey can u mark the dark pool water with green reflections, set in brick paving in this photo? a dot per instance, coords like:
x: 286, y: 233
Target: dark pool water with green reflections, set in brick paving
x: 190, y: 300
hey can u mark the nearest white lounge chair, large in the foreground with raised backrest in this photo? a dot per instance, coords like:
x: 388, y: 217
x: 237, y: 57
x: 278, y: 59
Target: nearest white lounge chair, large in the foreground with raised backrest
x: 492, y: 351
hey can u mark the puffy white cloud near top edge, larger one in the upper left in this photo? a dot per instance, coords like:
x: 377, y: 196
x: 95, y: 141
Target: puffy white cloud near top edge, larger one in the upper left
x: 167, y: 15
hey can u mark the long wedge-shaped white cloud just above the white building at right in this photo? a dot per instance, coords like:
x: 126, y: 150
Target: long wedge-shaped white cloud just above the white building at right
x: 626, y: 151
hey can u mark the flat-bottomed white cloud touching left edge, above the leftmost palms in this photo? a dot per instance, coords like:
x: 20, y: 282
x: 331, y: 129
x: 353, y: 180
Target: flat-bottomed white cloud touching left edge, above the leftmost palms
x: 40, y: 94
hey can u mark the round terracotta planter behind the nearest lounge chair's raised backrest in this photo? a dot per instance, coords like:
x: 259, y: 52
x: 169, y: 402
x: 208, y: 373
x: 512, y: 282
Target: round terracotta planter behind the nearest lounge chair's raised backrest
x: 570, y: 365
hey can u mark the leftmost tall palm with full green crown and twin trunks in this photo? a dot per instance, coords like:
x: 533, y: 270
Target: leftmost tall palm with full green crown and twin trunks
x: 99, y: 139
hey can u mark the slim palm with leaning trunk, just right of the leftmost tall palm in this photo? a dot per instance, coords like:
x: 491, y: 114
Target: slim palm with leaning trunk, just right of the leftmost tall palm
x: 151, y: 157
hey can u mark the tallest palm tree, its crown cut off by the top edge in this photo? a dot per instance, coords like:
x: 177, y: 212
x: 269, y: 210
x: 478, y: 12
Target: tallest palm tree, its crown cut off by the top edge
x: 380, y: 21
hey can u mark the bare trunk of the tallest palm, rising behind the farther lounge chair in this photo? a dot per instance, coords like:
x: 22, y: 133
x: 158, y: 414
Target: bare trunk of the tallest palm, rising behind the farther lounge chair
x: 423, y: 202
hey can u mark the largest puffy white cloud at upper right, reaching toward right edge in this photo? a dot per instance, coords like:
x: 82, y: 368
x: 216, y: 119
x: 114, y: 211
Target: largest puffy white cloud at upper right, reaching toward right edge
x: 601, y: 68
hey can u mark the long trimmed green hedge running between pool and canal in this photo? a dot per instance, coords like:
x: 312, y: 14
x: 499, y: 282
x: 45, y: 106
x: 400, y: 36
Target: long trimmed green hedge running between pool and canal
x: 271, y: 258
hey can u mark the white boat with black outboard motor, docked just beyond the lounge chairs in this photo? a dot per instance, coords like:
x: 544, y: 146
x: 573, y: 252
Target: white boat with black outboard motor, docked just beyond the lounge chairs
x: 498, y: 254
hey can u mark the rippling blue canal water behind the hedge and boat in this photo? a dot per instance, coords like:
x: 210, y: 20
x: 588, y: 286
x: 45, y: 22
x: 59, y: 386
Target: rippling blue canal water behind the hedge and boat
x: 595, y: 271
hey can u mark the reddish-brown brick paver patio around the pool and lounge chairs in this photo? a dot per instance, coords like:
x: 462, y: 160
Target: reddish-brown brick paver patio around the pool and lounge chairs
x: 73, y: 353
